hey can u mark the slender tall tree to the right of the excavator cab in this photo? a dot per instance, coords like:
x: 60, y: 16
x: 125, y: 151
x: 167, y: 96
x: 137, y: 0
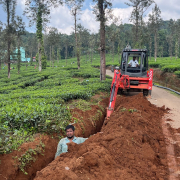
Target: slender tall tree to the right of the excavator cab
x: 155, y: 22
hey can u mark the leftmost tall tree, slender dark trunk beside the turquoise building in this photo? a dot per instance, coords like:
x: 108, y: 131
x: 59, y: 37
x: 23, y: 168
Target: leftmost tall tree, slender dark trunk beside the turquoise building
x: 9, y: 8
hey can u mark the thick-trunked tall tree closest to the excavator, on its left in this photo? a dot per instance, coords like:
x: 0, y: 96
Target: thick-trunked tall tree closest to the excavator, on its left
x: 100, y: 10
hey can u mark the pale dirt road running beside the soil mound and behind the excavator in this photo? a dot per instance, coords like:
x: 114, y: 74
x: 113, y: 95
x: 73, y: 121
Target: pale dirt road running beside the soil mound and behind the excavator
x: 162, y: 97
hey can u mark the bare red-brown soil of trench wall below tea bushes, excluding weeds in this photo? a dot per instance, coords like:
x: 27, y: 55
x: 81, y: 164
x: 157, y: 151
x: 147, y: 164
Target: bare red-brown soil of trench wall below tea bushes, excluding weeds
x: 8, y: 165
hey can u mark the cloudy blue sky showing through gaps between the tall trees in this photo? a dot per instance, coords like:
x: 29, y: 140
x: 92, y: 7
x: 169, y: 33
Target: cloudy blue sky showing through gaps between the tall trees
x: 62, y: 19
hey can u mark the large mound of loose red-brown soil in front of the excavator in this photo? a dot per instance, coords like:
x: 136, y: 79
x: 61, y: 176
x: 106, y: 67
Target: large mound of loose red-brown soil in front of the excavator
x: 130, y: 146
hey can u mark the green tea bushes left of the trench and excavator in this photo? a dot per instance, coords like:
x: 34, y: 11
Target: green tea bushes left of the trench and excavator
x: 34, y: 102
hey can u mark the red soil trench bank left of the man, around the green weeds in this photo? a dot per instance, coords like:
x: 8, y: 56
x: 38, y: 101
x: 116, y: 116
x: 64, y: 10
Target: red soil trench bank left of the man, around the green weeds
x: 9, y: 162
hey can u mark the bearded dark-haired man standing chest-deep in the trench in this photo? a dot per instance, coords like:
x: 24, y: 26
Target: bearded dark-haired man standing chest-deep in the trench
x: 62, y: 145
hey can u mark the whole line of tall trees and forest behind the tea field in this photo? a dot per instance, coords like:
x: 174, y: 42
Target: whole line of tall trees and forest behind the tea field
x: 161, y: 38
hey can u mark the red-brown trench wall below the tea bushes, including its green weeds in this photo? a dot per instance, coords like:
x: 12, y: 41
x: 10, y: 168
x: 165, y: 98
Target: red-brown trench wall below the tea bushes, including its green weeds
x: 34, y: 156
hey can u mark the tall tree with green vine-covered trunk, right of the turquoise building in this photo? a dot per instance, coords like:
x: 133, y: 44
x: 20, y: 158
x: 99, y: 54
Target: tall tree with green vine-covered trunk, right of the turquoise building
x: 38, y: 12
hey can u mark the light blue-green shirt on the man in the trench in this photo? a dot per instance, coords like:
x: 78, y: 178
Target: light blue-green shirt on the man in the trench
x: 62, y: 145
